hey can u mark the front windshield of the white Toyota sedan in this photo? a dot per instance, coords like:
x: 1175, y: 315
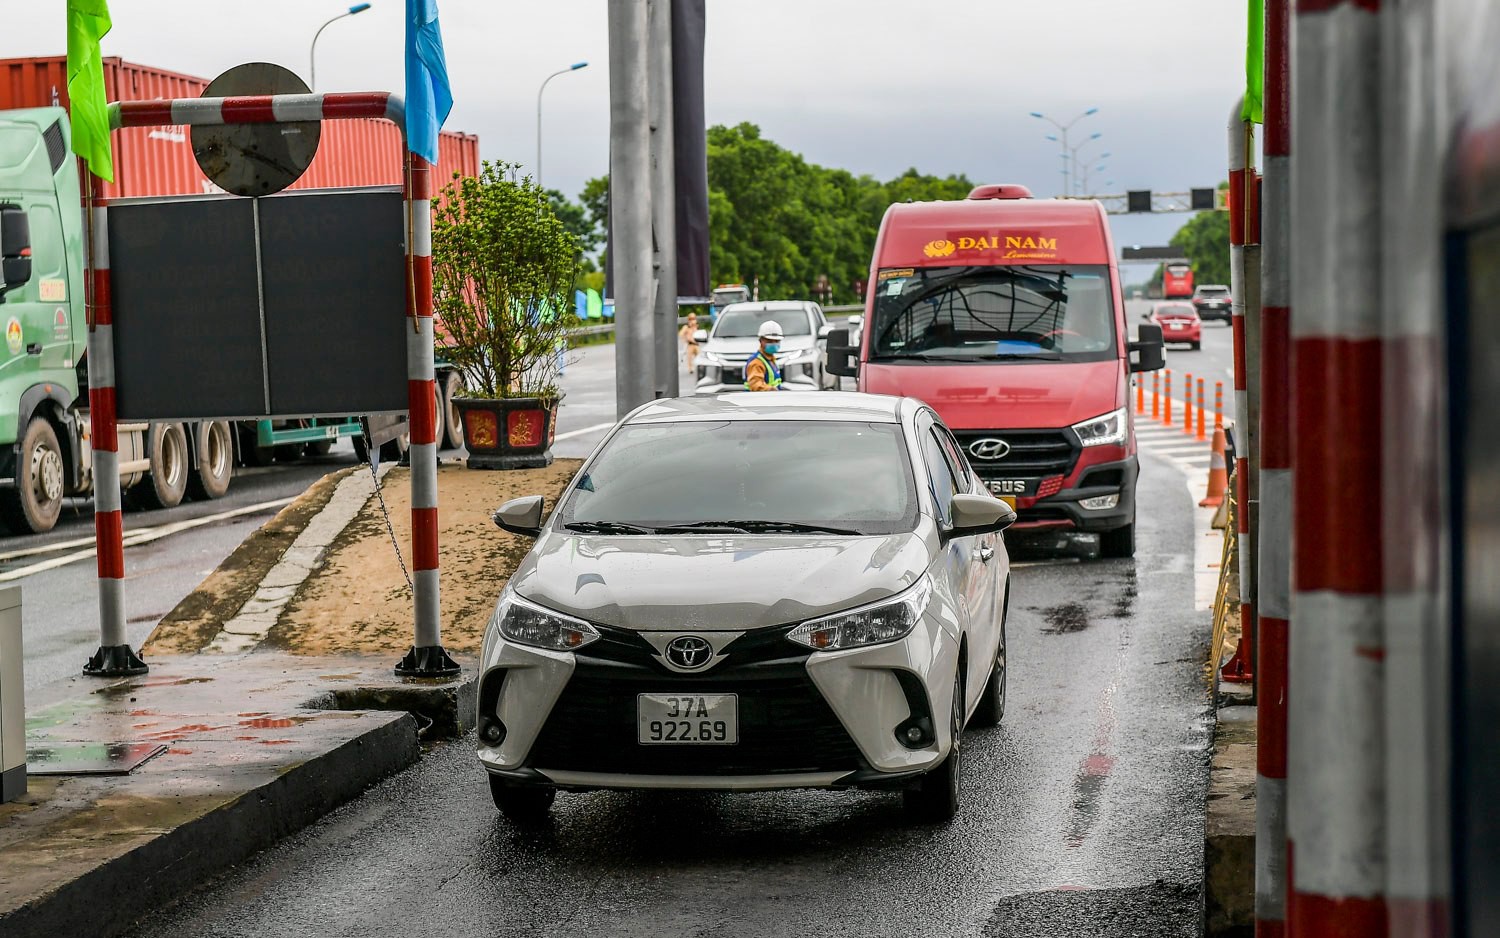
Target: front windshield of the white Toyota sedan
x: 833, y: 475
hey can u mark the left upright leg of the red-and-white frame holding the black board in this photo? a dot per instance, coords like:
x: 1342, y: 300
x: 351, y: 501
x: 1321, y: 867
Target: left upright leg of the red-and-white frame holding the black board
x: 115, y: 657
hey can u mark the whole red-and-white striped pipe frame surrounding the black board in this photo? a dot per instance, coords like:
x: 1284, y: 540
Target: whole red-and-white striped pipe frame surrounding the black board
x: 427, y: 658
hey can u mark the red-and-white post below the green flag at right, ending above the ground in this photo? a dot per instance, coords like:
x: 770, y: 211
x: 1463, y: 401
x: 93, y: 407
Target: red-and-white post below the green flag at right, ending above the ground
x: 1241, y: 179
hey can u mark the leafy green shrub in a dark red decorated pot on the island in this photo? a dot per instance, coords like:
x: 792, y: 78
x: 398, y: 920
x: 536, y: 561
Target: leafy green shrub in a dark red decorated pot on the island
x: 503, y: 271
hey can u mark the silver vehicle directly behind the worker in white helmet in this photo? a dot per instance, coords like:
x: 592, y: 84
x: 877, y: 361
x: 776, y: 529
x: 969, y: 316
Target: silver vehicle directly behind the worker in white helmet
x: 733, y: 343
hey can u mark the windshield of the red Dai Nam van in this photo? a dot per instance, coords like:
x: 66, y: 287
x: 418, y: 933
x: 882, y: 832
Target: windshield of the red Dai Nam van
x: 1018, y: 314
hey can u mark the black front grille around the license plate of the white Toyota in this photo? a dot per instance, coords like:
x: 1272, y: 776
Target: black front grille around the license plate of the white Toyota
x: 785, y: 724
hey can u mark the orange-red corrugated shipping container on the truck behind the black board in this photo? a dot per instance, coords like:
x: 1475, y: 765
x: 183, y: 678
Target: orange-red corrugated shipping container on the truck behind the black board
x: 158, y: 161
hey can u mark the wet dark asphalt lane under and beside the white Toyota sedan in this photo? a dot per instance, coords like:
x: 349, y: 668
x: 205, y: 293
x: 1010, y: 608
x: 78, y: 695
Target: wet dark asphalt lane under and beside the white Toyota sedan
x: 1084, y: 811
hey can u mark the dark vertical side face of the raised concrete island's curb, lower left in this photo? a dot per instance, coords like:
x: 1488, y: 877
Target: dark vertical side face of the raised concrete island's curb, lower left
x: 115, y: 895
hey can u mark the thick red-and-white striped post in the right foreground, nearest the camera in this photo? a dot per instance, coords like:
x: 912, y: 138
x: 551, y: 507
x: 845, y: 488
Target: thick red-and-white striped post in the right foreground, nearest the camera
x: 1336, y: 729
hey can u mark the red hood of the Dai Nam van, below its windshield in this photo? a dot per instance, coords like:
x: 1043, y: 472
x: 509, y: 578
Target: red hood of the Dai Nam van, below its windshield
x: 1030, y: 395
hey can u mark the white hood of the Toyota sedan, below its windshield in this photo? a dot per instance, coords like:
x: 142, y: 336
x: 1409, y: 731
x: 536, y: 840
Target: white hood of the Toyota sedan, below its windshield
x: 715, y: 583
